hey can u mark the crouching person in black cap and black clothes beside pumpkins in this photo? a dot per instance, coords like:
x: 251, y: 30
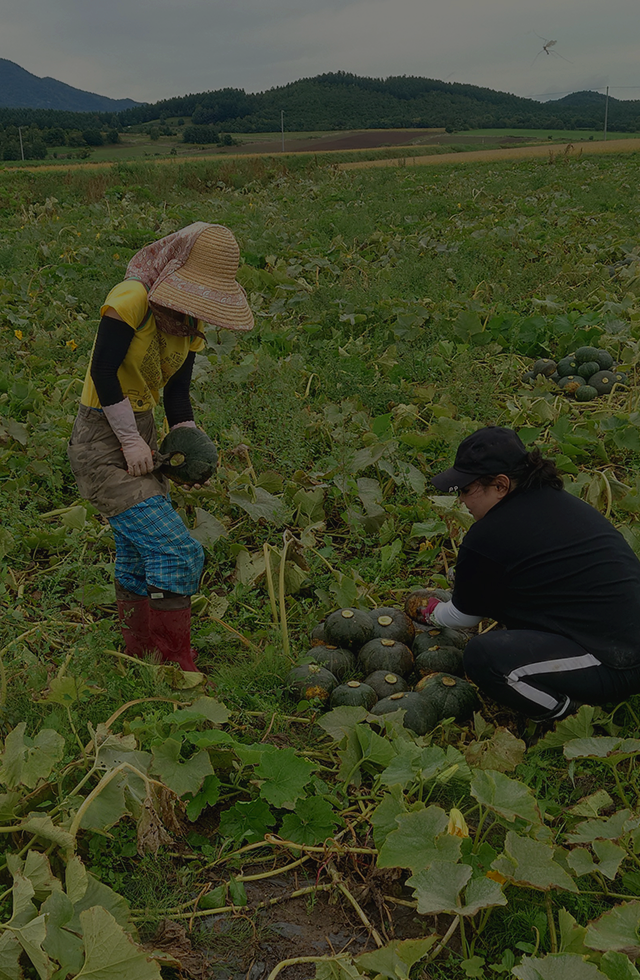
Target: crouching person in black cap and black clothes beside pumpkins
x: 552, y: 570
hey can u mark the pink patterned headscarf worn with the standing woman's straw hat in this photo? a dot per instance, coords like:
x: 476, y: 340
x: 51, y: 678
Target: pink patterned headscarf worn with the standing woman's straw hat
x: 153, y: 263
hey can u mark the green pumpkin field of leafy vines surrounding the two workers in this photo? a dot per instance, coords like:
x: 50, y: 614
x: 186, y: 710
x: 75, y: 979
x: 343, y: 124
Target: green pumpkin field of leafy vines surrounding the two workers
x: 222, y: 825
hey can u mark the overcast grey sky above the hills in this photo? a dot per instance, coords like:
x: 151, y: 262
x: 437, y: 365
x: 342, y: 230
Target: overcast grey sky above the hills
x: 153, y: 49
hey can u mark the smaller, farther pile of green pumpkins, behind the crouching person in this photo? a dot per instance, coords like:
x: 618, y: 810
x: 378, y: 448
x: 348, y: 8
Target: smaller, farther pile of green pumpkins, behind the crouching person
x: 585, y: 373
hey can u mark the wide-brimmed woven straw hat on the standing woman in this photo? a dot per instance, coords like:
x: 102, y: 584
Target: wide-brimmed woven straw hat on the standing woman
x: 205, y: 286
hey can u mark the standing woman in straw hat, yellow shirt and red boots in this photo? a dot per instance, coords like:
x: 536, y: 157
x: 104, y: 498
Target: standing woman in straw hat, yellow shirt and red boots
x: 149, y: 334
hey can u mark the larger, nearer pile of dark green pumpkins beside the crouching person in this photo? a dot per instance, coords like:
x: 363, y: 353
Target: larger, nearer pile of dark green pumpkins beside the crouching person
x: 382, y: 661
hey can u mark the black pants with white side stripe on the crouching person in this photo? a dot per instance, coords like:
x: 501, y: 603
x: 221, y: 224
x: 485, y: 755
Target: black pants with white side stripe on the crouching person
x: 539, y: 674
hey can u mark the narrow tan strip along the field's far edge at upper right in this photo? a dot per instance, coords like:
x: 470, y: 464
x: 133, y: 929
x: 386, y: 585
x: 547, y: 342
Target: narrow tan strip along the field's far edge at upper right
x: 510, y: 153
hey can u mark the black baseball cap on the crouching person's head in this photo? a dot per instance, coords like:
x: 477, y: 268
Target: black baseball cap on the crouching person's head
x: 487, y: 452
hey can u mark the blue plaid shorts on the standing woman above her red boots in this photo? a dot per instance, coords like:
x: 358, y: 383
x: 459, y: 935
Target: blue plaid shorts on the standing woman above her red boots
x: 154, y: 548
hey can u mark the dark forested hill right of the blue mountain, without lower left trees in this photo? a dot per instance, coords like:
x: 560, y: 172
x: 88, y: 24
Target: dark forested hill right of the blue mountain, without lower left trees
x: 340, y: 100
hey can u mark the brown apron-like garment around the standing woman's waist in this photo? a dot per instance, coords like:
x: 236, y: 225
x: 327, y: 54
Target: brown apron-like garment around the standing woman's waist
x: 99, y: 466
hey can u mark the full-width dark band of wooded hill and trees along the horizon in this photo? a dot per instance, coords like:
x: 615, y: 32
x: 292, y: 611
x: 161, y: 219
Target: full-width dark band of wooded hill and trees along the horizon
x: 333, y: 101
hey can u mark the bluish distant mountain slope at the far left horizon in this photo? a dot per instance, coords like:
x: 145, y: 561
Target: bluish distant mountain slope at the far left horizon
x: 20, y: 89
